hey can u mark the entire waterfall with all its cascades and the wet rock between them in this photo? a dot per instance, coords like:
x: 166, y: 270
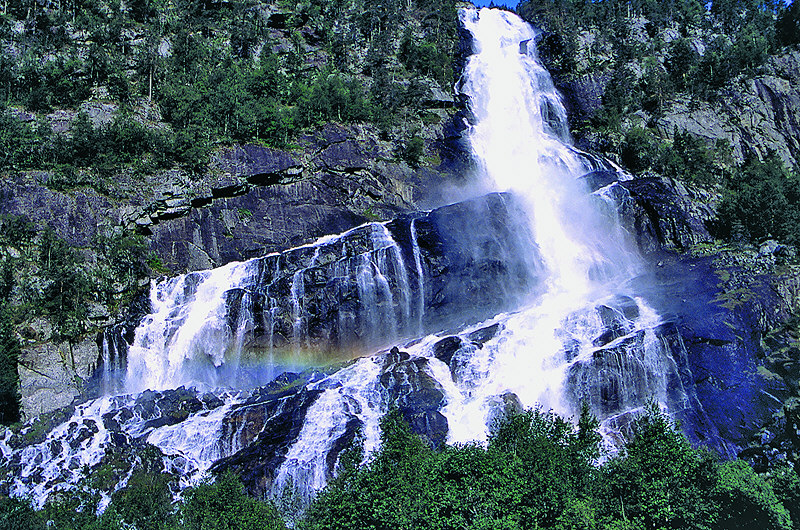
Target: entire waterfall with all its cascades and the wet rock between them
x: 526, y: 295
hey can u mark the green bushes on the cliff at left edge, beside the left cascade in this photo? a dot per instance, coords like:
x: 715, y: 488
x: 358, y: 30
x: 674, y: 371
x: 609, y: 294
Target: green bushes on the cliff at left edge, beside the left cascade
x: 43, y: 277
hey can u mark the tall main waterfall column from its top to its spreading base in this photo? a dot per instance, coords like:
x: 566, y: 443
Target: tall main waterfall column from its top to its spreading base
x: 586, y: 322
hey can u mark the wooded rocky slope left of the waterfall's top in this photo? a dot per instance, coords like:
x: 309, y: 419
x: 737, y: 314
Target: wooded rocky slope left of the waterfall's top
x: 184, y: 77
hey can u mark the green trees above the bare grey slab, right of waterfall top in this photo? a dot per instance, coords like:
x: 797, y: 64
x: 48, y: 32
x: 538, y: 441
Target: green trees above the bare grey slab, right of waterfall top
x: 657, y: 54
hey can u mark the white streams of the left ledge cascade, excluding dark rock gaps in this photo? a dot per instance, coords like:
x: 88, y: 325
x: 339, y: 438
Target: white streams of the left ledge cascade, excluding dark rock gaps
x: 189, y: 338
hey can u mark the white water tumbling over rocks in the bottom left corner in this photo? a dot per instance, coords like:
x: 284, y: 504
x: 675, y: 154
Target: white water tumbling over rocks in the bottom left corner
x: 71, y: 452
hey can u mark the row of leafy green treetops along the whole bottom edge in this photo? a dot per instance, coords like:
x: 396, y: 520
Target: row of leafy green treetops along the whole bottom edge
x: 537, y: 471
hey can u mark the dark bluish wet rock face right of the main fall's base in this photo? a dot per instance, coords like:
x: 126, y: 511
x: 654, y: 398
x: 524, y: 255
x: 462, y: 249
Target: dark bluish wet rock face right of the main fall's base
x: 718, y: 307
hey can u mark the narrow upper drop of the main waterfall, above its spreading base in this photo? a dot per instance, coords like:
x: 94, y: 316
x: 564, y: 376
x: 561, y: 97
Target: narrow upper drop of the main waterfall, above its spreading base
x: 520, y: 137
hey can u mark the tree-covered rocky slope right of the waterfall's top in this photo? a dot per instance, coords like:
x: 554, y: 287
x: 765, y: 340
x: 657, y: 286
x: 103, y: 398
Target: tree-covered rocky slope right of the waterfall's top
x: 651, y: 64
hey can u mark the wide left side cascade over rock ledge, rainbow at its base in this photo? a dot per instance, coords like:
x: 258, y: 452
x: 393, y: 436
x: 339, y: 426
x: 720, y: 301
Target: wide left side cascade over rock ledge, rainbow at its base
x: 205, y: 327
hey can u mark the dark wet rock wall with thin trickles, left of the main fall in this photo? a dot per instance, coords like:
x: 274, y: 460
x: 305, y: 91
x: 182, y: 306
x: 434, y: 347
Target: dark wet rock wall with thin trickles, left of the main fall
x: 377, y: 283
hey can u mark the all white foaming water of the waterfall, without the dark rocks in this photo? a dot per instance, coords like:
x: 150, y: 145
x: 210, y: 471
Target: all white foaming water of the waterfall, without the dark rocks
x: 519, y: 139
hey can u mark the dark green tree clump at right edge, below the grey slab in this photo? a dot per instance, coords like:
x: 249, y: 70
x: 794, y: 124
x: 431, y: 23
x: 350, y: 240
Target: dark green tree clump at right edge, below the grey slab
x: 761, y: 199
